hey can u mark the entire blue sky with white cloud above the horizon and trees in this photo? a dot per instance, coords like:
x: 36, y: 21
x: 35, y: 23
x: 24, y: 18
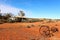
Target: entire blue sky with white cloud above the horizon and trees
x: 32, y: 8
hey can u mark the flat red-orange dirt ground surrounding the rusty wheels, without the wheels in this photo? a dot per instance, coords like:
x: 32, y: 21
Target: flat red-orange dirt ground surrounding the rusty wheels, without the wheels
x: 20, y: 31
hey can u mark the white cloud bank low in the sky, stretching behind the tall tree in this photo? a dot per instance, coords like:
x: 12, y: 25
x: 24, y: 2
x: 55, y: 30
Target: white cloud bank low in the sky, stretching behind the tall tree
x: 9, y: 9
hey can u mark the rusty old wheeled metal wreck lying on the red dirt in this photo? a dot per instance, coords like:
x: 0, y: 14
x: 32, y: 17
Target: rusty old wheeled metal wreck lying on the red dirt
x: 46, y: 31
